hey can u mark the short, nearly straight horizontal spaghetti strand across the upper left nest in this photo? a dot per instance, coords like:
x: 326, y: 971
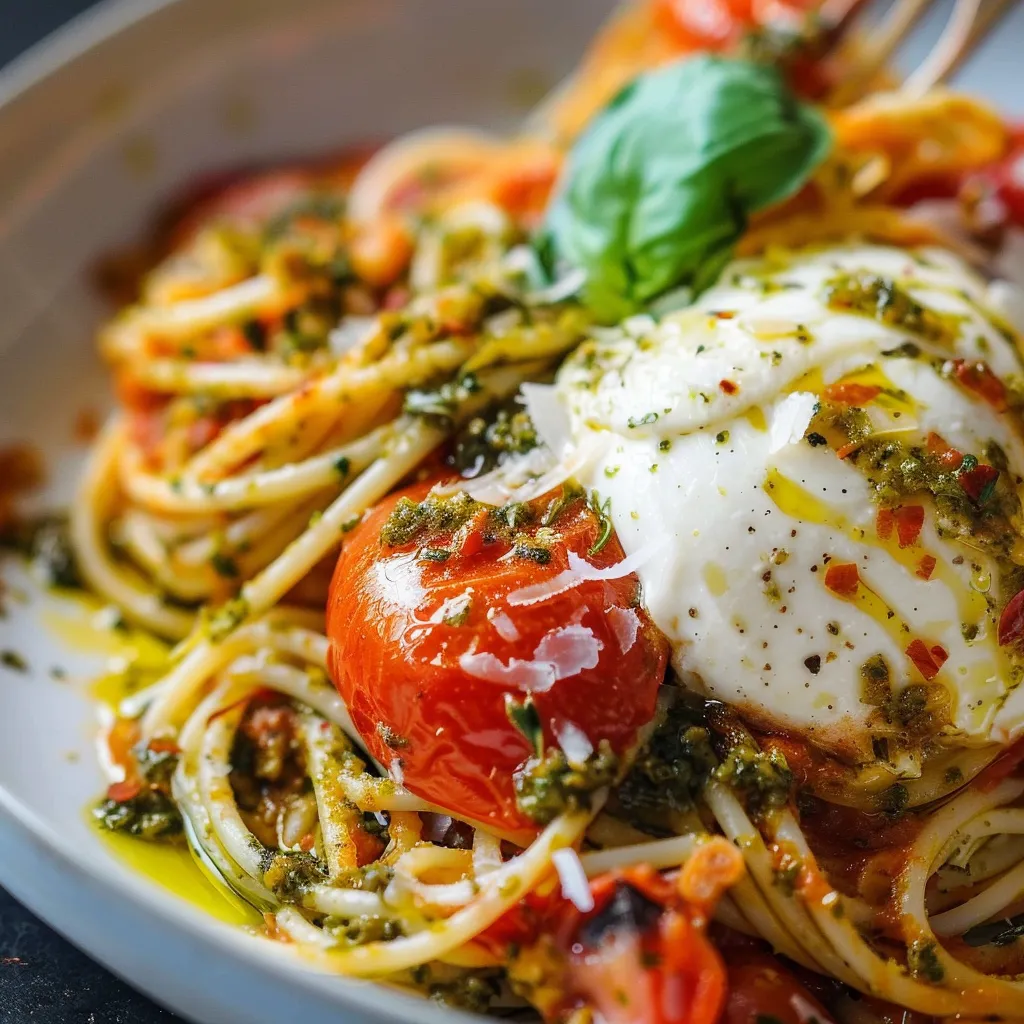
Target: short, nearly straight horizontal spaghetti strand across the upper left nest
x: 240, y: 379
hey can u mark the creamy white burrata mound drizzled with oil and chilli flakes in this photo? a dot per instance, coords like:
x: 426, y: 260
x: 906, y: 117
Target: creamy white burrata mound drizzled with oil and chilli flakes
x: 700, y: 432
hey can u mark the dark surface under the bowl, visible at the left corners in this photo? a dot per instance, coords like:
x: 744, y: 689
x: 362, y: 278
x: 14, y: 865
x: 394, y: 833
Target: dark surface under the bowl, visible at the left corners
x: 44, y: 980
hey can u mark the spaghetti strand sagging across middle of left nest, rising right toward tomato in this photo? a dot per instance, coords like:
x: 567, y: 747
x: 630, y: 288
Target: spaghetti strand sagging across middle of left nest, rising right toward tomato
x: 286, y: 484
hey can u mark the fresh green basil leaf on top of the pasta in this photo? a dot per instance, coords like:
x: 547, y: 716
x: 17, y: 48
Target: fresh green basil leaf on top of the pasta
x: 659, y: 190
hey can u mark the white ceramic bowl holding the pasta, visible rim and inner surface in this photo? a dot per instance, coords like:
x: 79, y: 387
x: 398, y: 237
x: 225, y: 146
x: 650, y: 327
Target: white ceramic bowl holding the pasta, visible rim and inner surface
x: 98, y: 127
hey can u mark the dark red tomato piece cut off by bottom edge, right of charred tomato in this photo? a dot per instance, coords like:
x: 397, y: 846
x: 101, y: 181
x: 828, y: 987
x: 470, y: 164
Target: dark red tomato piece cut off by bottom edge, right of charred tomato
x: 760, y: 988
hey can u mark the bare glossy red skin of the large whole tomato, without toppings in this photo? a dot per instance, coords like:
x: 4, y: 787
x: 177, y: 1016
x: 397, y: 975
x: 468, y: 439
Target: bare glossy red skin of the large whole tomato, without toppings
x: 397, y: 663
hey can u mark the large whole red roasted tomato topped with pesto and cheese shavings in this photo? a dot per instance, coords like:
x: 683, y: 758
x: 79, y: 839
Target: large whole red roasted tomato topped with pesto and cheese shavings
x: 429, y: 638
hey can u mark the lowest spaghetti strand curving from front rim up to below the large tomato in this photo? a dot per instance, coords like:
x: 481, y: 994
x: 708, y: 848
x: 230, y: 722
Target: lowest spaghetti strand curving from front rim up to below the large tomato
x: 499, y: 893
